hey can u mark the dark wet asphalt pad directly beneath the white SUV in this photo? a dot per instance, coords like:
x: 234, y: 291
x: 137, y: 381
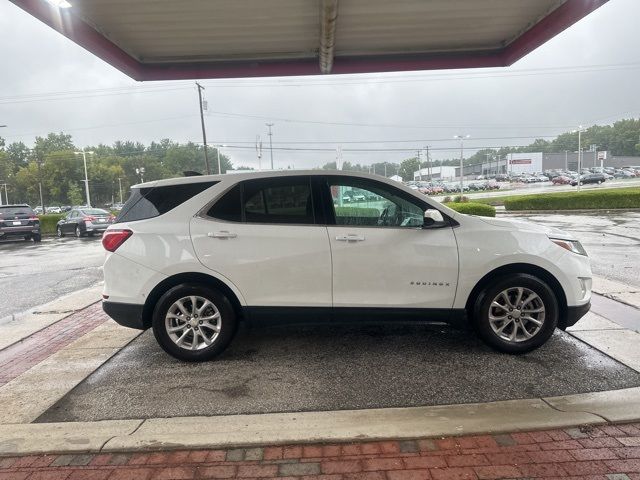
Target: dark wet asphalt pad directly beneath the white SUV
x: 333, y: 368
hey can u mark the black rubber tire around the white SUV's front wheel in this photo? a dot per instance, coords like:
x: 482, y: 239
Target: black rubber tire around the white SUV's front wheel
x: 483, y: 303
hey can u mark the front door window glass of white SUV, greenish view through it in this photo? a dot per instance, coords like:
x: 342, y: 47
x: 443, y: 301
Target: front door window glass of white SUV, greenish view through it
x: 371, y: 204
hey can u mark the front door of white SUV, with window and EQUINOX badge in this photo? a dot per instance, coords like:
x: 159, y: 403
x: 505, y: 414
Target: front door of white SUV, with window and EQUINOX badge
x: 382, y: 255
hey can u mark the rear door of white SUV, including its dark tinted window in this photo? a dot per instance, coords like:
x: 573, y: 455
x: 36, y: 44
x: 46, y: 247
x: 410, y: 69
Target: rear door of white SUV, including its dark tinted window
x: 264, y: 236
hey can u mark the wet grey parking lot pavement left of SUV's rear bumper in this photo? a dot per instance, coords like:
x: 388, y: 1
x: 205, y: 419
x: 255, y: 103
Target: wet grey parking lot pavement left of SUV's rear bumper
x: 35, y: 273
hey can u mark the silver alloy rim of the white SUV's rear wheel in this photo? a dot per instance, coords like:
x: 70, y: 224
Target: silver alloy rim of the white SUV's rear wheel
x: 193, y: 322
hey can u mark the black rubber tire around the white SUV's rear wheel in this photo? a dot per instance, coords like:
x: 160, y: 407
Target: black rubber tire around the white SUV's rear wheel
x: 228, y: 322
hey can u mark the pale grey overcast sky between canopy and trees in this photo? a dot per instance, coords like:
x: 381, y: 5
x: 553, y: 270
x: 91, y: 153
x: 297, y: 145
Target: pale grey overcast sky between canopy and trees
x: 588, y: 74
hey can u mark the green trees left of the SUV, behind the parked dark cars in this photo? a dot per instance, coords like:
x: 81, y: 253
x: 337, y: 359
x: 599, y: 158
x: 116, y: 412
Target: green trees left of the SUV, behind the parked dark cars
x: 55, y: 163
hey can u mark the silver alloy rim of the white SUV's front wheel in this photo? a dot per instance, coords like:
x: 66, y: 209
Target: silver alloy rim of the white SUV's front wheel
x: 517, y: 314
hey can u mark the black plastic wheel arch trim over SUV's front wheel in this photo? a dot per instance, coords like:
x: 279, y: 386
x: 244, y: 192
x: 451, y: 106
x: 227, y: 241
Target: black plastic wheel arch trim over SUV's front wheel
x: 530, y: 269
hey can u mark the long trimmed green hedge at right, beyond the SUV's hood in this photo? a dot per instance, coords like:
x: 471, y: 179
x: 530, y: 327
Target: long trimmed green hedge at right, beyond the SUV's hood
x: 587, y: 200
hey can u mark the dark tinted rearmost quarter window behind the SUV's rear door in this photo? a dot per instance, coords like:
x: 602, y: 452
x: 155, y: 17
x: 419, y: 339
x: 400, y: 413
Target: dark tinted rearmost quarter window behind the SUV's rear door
x: 151, y: 202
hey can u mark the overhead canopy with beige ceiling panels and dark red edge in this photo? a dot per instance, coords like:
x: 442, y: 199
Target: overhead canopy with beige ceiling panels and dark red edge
x: 179, y: 39
